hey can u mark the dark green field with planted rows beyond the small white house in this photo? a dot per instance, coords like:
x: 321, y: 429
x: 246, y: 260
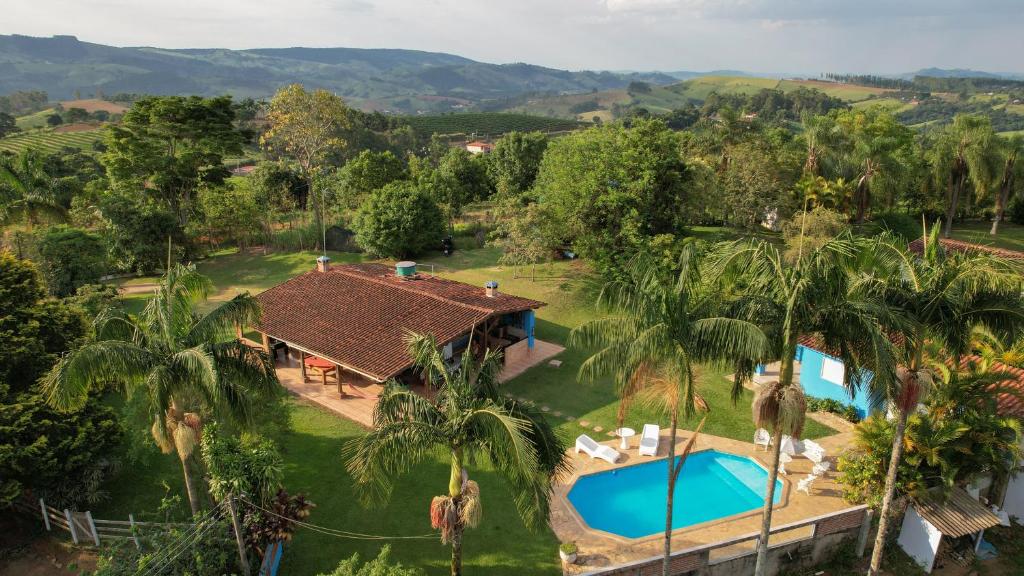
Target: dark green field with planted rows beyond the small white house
x: 488, y: 124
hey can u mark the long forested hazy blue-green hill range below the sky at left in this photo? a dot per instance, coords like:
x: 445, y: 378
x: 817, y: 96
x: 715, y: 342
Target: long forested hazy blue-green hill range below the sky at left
x: 374, y: 79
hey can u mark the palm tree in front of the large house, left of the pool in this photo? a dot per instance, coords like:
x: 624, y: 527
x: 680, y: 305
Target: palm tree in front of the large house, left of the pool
x: 470, y: 420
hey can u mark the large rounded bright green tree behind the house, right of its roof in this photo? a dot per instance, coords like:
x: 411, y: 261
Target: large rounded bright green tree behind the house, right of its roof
x: 613, y: 189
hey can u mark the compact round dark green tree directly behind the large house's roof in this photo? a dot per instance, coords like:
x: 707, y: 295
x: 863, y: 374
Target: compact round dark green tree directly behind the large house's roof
x: 399, y: 221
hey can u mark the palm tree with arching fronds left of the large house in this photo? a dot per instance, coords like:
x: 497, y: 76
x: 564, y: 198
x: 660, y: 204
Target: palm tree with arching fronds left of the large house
x: 186, y: 366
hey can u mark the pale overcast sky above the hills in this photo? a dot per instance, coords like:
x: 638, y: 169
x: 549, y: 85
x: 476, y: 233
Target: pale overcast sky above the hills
x: 797, y: 36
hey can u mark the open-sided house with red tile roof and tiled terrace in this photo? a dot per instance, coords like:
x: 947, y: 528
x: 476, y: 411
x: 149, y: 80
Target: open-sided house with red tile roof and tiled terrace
x: 350, y: 323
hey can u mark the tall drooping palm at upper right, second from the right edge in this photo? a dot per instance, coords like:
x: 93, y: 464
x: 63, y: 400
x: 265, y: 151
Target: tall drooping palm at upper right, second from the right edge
x: 962, y: 156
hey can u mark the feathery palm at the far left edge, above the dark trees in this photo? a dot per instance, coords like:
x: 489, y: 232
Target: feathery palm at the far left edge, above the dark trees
x: 27, y: 192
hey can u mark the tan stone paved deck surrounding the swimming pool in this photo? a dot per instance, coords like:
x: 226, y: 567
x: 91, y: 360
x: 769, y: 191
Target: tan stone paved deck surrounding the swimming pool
x: 600, y: 549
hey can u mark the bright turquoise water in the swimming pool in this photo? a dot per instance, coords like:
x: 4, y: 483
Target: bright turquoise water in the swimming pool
x: 631, y: 502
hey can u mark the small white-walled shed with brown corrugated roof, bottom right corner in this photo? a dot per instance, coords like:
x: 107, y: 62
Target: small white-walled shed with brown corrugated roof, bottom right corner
x: 927, y: 522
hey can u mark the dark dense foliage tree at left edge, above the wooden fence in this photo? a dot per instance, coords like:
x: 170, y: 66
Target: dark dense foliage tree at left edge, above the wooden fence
x: 62, y: 458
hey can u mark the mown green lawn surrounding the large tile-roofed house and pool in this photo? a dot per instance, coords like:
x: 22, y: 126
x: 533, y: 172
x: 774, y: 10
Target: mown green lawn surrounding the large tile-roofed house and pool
x: 313, y: 447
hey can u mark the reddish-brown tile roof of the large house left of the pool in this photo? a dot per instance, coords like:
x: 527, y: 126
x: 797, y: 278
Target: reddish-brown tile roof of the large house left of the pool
x: 359, y: 315
